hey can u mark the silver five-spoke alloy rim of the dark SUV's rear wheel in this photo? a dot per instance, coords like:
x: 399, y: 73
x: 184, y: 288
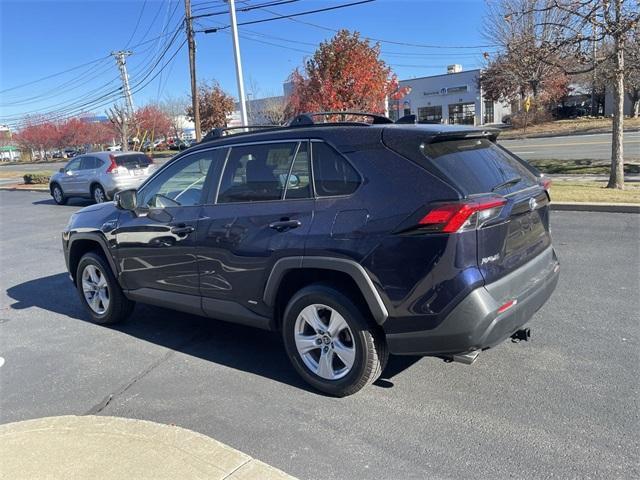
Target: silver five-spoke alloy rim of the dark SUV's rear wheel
x: 325, y: 342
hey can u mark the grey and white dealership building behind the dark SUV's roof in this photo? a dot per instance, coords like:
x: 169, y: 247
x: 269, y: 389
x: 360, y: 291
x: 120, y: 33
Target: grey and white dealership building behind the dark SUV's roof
x: 453, y: 98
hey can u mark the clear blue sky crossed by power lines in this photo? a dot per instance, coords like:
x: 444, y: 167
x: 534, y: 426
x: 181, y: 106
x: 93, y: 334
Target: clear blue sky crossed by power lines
x: 55, y: 54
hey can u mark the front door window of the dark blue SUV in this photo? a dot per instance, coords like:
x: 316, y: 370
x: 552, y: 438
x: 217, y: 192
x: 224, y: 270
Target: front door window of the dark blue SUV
x: 180, y: 184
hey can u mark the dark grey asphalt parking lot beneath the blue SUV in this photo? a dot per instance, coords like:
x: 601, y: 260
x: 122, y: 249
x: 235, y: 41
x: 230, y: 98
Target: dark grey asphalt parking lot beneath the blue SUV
x: 564, y: 405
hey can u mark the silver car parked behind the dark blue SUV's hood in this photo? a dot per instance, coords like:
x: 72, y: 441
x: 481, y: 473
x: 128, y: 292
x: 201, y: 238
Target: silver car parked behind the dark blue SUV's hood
x: 99, y: 175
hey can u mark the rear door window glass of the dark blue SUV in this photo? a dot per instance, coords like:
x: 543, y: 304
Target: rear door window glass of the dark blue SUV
x: 255, y: 173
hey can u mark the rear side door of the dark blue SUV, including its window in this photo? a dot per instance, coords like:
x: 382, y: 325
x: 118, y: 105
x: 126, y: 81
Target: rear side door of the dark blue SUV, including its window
x: 262, y: 212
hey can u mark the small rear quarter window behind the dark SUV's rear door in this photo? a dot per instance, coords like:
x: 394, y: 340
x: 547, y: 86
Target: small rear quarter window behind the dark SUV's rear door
x: 332, y: 174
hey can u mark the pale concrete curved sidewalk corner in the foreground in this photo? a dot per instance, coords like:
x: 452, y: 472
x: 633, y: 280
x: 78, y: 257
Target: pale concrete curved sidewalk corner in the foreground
x: 81, y: 447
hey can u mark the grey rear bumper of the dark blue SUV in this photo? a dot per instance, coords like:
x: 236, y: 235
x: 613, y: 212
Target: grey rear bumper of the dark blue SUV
x: 475, y: 322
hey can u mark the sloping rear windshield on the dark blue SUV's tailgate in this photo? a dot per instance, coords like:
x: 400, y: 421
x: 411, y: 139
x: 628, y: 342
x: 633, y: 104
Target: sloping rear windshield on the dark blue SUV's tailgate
x: 478, y: 166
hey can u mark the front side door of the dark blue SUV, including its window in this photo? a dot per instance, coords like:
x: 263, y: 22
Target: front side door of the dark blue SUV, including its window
x: 156, y: 244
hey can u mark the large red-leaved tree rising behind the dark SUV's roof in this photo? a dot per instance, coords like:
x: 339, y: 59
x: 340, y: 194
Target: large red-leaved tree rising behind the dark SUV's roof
x: 345, y: 73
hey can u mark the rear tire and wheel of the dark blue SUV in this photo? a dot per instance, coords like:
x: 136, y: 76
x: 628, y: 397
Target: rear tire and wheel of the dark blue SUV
x: 339, y: 362
